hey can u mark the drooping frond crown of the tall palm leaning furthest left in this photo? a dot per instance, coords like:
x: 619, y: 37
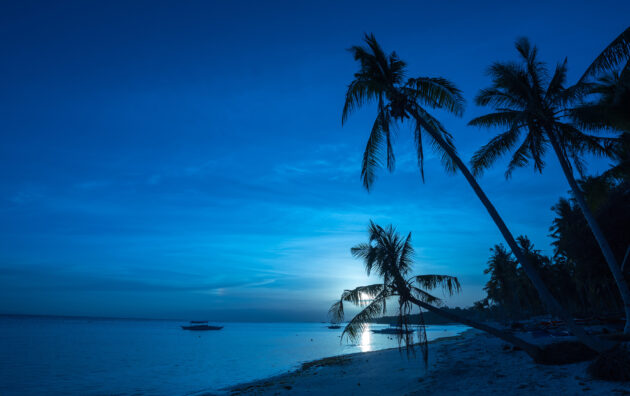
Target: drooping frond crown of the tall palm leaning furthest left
x: 381, y: 79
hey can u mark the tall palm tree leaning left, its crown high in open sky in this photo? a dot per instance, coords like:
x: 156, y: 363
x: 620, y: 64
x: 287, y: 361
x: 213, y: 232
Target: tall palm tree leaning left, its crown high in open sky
x: 381, y: 79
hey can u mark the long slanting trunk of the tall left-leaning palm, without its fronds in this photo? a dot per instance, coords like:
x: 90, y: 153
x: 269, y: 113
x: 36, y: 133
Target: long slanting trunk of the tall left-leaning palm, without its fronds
x: 545, y: 295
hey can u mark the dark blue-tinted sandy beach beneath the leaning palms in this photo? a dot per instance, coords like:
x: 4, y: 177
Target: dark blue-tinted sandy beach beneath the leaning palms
x: 471, y: 364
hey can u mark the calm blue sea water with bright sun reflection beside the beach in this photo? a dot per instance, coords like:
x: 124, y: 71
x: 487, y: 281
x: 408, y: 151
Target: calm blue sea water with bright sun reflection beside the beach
x: 68, y: 356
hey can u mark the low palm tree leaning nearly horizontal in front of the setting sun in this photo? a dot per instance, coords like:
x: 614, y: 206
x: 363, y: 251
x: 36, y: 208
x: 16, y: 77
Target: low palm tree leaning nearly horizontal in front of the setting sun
x: 390, y: 256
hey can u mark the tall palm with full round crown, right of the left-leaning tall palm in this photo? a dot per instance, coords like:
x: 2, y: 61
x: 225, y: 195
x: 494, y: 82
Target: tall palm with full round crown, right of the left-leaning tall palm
x: 527, y: 104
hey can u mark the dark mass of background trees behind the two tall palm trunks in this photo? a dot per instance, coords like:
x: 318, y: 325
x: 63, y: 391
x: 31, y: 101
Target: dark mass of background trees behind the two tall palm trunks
x: 576, y: 272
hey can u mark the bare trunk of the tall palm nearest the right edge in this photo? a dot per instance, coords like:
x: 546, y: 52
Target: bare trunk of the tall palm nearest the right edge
x: 609, y: 256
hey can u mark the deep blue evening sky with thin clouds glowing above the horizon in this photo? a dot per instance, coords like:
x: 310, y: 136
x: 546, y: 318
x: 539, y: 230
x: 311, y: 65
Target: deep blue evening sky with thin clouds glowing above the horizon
x: 187, y: 159
